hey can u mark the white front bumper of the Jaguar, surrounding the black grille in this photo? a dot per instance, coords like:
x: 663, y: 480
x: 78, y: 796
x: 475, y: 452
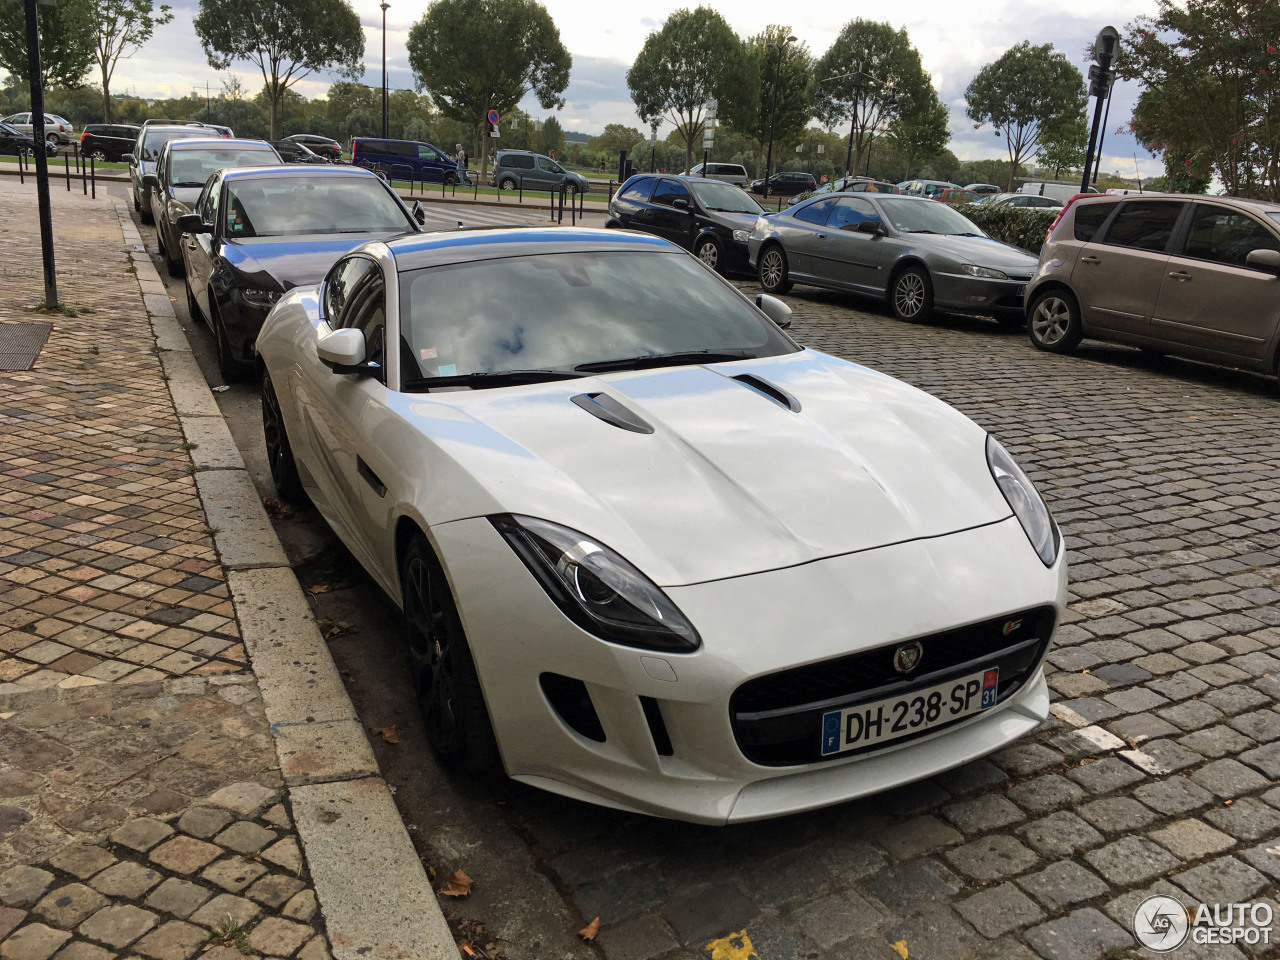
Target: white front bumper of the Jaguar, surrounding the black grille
x: 751, y: 627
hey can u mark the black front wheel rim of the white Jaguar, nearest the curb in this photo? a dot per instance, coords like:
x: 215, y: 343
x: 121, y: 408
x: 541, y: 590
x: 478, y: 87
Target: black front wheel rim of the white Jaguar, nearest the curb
x: 431, y: 650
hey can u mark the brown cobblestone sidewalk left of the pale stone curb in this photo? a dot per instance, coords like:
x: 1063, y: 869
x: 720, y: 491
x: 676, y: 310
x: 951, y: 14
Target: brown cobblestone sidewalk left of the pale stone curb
x: 141, y: 807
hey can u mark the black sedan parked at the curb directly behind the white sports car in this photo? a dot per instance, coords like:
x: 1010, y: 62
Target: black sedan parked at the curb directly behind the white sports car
x: 260, y: 231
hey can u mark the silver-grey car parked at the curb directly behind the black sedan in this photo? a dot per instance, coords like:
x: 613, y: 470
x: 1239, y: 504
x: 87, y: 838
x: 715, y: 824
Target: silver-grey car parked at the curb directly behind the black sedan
x: 182, y: 171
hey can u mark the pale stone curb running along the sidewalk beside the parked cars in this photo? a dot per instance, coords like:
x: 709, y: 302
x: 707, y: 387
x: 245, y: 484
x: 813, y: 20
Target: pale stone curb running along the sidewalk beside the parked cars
x: 374, y: 894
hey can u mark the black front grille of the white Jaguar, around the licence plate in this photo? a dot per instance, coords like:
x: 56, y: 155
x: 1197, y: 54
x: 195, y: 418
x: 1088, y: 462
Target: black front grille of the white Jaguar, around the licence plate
x: 778, y: 719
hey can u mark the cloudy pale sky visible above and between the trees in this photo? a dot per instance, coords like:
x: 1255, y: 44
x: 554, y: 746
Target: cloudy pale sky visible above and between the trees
x: 954, y: 42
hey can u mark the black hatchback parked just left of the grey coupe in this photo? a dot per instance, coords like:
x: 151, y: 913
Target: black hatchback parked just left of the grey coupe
x: 710, y: 218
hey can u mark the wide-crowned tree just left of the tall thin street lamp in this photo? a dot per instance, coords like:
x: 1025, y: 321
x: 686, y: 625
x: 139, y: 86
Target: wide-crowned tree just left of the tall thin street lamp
x: 286, y: 39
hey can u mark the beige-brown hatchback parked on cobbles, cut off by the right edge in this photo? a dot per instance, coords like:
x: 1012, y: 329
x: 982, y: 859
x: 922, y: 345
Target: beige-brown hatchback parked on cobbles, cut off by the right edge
x: 1192, y: 276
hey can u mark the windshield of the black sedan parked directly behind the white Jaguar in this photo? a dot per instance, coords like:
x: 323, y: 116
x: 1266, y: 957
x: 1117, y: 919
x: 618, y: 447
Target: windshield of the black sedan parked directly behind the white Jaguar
x: 282, y: 207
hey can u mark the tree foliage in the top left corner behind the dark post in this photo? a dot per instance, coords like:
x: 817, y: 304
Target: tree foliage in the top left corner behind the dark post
x: 66, y: 42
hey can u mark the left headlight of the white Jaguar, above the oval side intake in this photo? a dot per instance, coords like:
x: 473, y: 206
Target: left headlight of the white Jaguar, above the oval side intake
x: 596, y: 588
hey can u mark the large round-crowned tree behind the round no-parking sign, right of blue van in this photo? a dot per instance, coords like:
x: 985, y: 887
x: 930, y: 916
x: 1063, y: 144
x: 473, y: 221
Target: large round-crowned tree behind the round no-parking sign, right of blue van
x: 479, y: 56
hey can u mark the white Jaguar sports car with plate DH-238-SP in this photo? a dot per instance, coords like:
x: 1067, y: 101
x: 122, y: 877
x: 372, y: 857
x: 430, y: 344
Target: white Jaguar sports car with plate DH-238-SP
x: 651, y: 552
